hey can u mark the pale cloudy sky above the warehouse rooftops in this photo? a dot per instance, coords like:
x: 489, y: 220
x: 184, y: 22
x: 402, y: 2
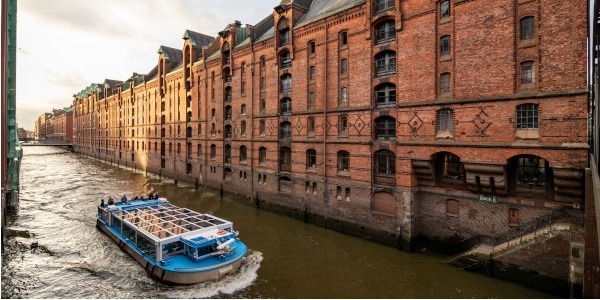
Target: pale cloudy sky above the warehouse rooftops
x: 65, y: 45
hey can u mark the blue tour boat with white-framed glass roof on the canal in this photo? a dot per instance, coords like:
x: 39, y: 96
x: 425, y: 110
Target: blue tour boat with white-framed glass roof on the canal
x: 175, y: 245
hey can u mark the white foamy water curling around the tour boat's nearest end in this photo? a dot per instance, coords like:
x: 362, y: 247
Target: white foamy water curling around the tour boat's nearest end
x: 230, y: 284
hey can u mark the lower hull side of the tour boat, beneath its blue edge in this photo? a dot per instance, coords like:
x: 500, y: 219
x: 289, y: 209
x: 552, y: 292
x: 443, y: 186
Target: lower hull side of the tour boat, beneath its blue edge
x: 168, y: 276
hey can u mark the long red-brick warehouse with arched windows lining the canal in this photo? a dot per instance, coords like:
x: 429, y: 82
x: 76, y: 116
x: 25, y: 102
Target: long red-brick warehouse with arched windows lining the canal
x: 386, y: 119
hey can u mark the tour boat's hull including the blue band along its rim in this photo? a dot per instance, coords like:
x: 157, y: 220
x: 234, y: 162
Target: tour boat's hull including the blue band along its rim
x: 178, y: 276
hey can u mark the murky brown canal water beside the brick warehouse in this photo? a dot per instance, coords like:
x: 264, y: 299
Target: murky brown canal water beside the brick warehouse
x: 287, y: 258
